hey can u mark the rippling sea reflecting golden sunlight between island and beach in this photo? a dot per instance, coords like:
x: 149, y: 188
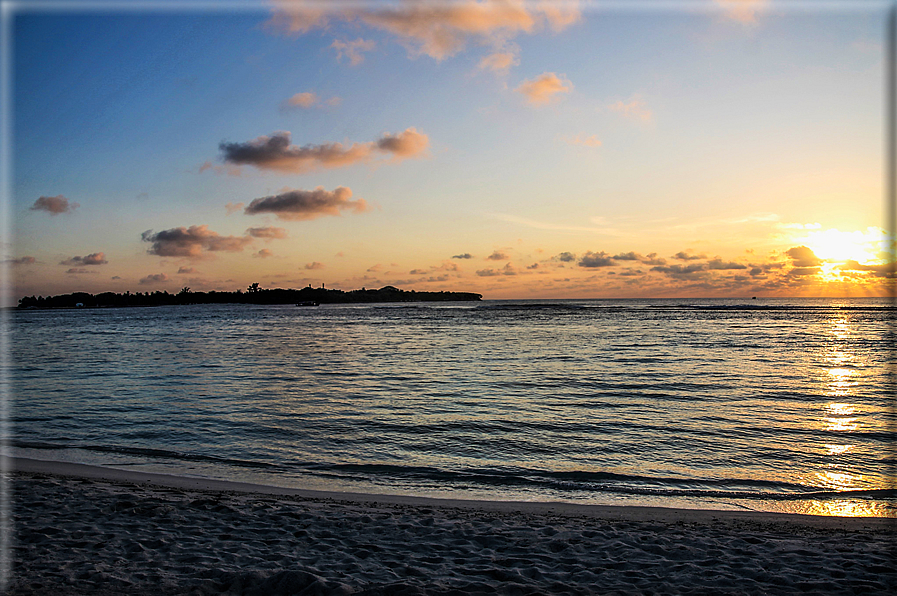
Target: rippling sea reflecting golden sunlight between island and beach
x: 773, y: 405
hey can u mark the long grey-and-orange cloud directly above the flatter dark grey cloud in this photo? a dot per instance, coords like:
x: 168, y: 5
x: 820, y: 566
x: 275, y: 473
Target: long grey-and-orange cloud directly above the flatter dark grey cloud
x: 275, y: 152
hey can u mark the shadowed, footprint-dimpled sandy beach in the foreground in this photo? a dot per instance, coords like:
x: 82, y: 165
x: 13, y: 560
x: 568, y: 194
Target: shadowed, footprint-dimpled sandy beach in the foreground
x: 88, y: 530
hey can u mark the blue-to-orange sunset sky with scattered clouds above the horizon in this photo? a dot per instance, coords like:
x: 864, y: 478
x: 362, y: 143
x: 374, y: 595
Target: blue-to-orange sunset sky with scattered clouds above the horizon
x: 715, y: 148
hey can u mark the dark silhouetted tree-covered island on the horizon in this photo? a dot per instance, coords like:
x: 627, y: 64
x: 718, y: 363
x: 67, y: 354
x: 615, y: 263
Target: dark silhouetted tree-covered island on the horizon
x: 253, y: 295
